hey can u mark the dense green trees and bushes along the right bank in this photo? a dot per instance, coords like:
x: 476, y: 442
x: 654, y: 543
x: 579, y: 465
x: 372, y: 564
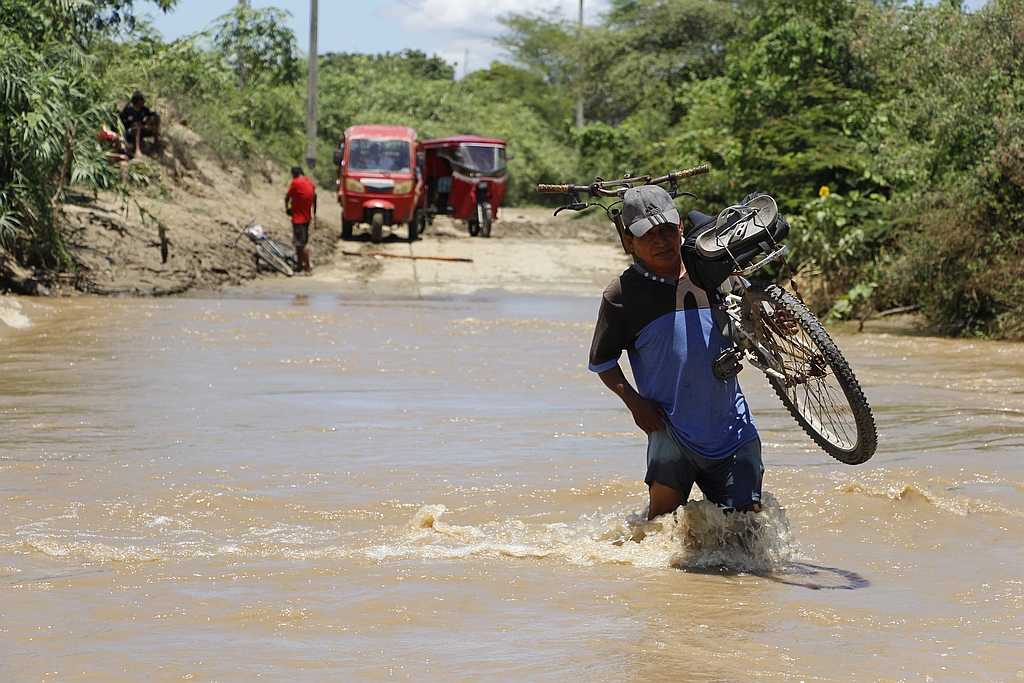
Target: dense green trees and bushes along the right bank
x: 892, y: 135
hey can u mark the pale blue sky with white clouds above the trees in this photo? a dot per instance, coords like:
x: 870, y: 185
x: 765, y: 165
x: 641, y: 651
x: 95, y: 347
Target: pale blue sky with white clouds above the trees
x: 446, y: 28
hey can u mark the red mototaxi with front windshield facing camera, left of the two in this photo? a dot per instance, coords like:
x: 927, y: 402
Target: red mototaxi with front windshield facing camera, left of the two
x: 379, y: 181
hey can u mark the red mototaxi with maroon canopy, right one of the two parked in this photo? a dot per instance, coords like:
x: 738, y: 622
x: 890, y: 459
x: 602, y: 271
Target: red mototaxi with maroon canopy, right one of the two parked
x: 466, y: 179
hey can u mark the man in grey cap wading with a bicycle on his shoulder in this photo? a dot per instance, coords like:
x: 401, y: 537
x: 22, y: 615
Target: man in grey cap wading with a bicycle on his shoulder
x: 700, y: 430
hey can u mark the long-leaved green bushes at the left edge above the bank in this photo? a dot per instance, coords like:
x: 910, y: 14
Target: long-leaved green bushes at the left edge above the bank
x: 52, y: 106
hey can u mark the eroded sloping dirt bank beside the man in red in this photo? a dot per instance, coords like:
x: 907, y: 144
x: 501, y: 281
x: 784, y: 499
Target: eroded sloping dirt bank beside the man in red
x: 180, y: 234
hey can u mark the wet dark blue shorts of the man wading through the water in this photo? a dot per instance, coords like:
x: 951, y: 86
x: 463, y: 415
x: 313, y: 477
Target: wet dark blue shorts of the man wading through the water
x: 734, y: 482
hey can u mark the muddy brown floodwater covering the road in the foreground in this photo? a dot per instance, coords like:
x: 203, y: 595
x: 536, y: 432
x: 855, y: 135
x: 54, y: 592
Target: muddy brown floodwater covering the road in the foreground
x: 328, y: 489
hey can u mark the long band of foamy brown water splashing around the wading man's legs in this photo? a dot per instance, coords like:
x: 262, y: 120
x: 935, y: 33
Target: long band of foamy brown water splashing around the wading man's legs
x: 699, y: 537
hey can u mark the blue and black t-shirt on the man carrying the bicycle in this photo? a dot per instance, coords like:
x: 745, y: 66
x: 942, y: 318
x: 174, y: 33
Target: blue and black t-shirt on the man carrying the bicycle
x: 668, y: 329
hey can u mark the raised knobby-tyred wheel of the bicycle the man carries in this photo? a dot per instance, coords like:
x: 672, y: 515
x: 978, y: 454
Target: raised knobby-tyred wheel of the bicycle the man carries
x: 820, y: 390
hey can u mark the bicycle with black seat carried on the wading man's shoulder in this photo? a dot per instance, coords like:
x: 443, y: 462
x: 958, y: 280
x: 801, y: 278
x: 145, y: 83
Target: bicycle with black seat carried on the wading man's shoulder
x: 772, y: 328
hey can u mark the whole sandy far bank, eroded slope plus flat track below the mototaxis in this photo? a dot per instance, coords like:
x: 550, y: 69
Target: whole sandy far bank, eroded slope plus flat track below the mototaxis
x: 182, y: 236
